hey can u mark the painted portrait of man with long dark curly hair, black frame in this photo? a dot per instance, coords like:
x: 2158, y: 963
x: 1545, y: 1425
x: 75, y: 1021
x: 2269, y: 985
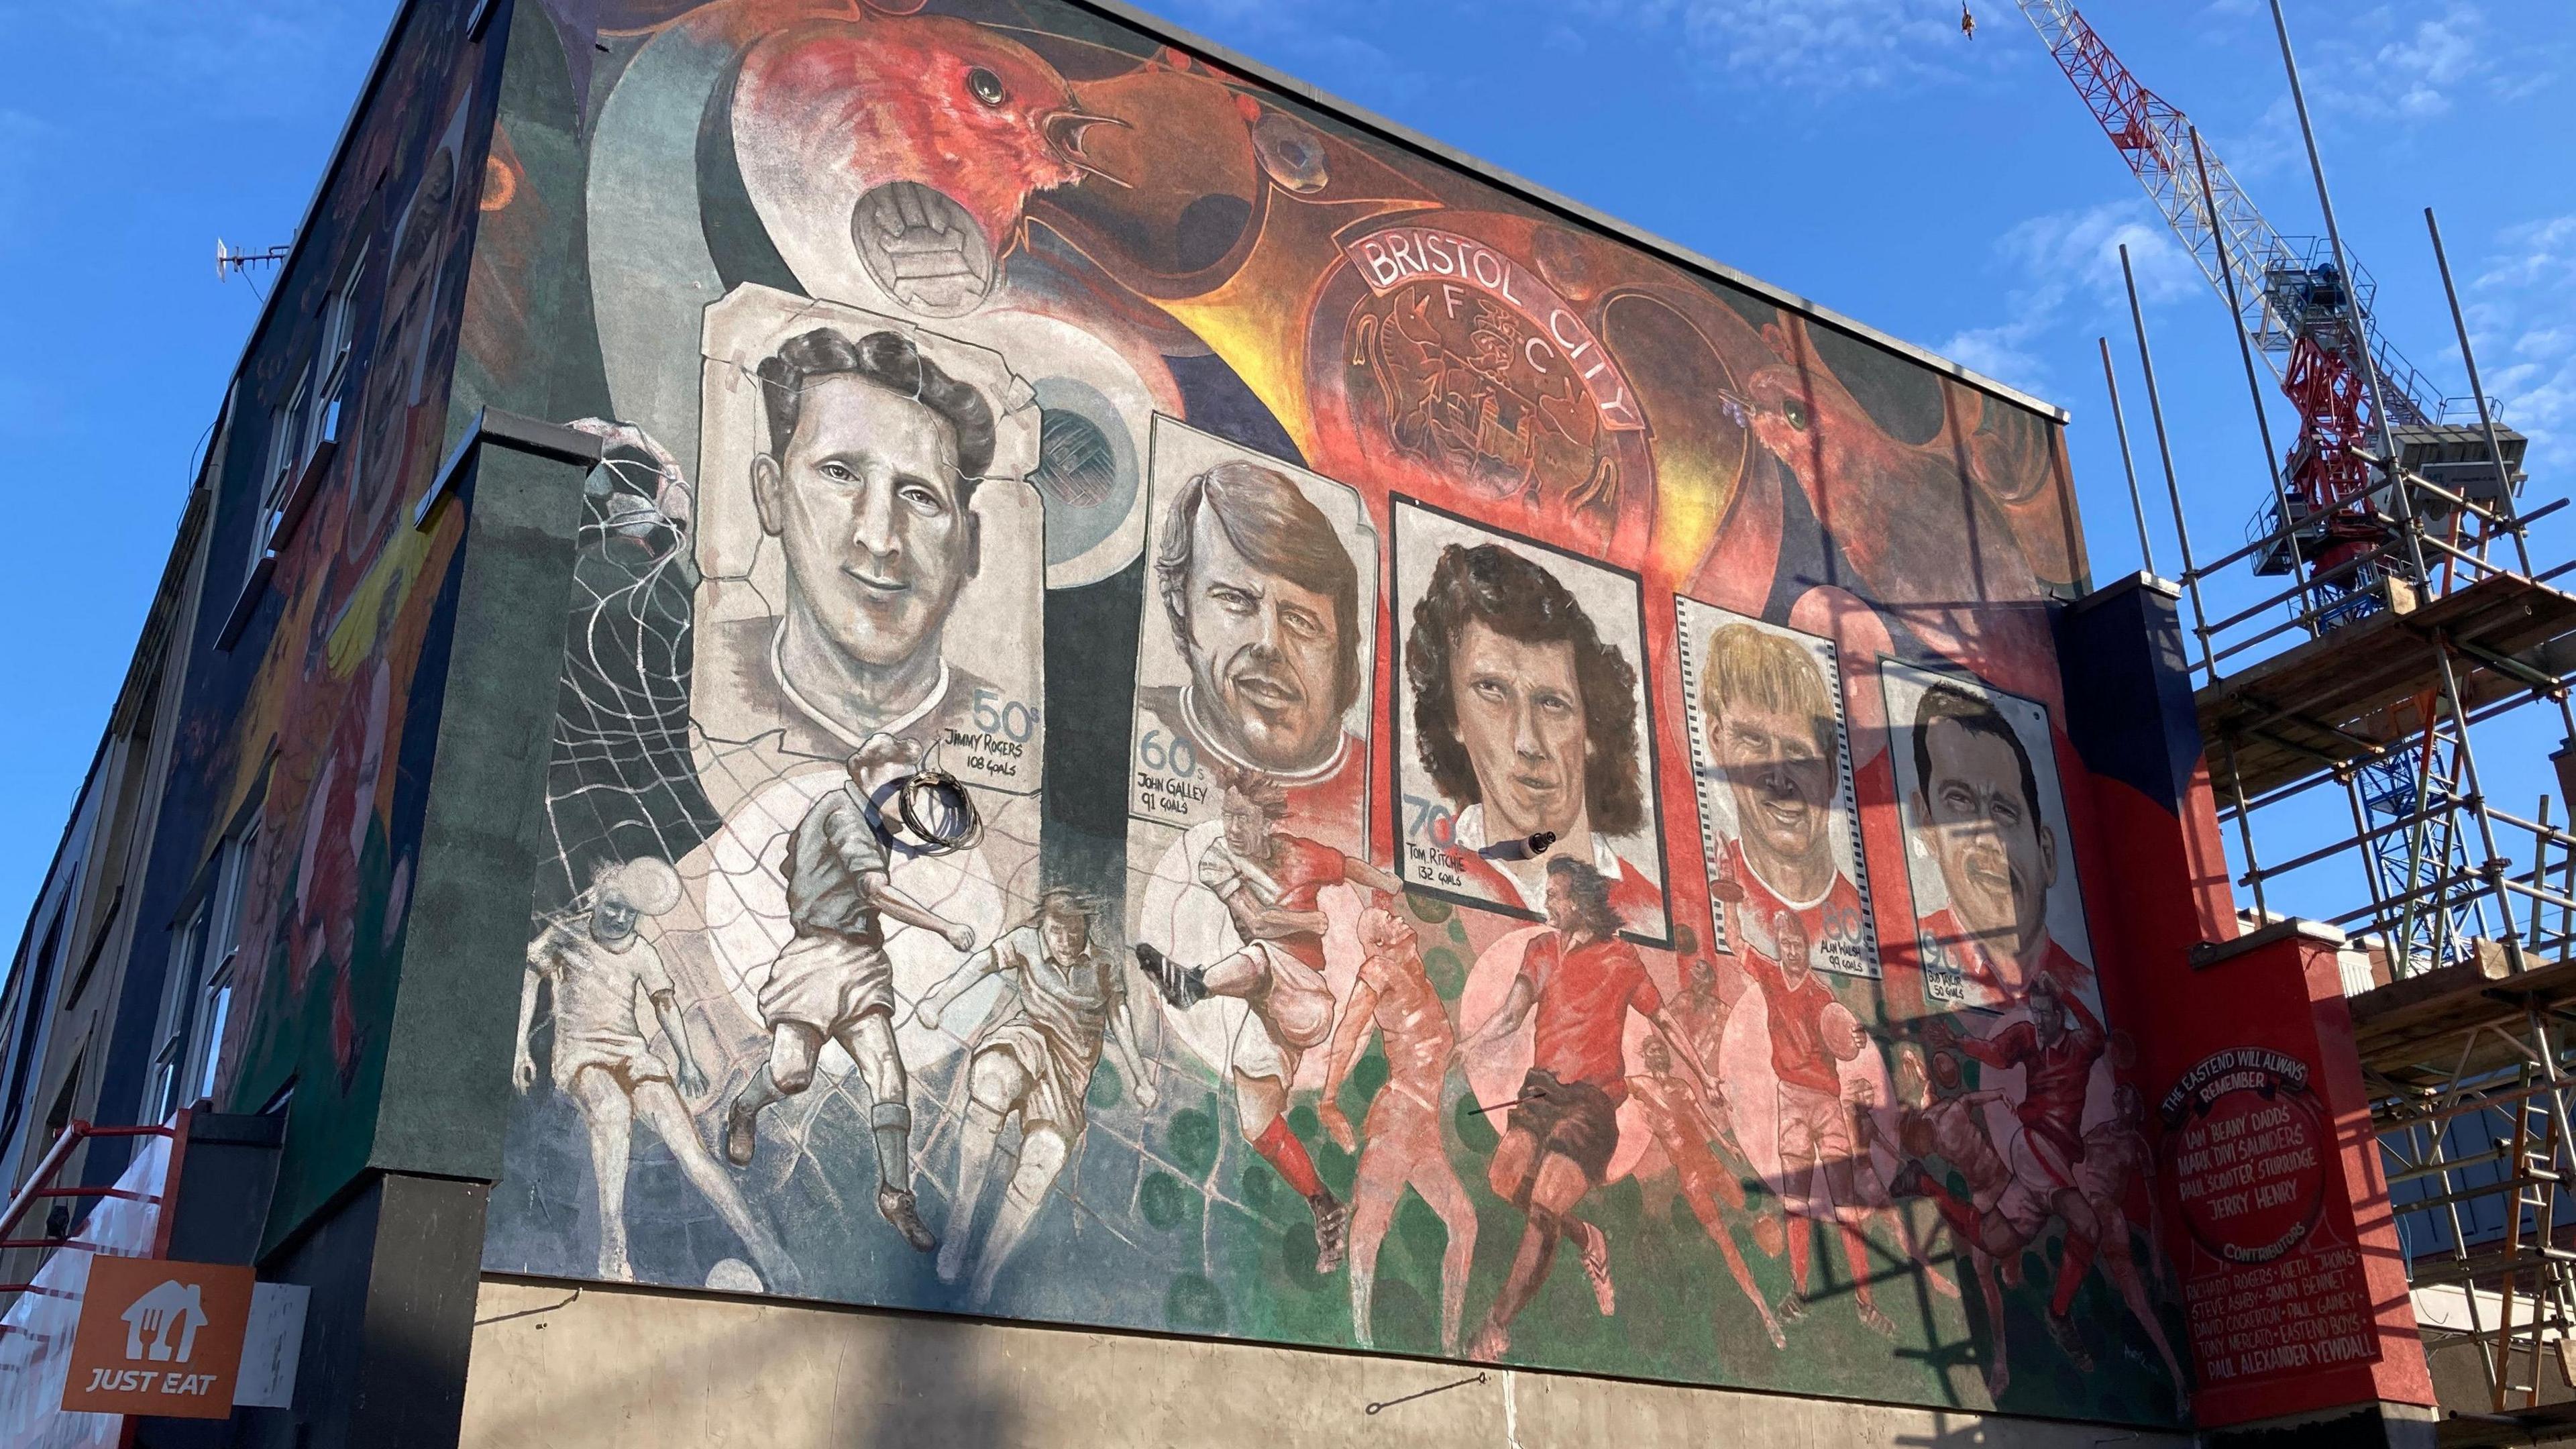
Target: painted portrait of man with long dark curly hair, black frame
x: 1524, y: 731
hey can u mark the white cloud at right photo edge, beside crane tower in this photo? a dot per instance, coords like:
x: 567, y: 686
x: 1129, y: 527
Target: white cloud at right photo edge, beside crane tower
x: 2523, y: 318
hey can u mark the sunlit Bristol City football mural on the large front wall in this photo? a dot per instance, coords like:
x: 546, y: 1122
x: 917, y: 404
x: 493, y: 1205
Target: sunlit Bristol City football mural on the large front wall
x: 1181, y: 718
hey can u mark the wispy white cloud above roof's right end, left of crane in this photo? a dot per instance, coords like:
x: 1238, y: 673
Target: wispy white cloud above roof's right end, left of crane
x: 2070, y: 277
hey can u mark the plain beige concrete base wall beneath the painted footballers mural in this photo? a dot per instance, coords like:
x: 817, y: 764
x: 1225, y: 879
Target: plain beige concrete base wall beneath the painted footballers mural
x: 589, y: 1368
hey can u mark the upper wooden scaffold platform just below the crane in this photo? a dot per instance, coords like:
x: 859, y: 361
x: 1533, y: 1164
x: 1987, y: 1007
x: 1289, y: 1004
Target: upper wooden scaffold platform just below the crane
x: 2356, y: 692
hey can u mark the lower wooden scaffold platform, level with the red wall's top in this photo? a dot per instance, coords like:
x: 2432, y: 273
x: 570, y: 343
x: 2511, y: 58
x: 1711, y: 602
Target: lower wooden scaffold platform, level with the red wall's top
x: 2412, y: 1033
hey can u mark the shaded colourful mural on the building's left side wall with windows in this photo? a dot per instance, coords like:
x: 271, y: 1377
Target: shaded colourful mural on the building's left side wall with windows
x: 313, y: 749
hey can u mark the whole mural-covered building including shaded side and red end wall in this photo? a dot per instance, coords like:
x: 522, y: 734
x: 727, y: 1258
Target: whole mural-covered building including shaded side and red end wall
x: 957, y: 721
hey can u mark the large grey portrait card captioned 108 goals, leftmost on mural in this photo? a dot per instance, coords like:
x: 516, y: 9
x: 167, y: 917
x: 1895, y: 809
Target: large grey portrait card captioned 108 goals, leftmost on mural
x: 833, y: 610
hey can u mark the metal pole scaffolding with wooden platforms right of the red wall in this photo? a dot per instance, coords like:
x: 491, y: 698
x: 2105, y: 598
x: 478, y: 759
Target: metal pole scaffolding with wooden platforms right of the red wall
x: 2389, y: 636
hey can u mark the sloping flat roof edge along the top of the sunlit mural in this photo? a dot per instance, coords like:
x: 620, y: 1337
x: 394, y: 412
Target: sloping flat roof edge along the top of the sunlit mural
x: 1555, y: 202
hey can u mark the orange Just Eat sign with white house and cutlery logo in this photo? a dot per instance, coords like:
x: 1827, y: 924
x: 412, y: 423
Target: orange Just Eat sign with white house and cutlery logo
x: 158, y: 1337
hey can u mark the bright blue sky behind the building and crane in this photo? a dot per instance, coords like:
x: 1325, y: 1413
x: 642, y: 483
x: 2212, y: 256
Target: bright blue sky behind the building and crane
x: 1864, y: 153
